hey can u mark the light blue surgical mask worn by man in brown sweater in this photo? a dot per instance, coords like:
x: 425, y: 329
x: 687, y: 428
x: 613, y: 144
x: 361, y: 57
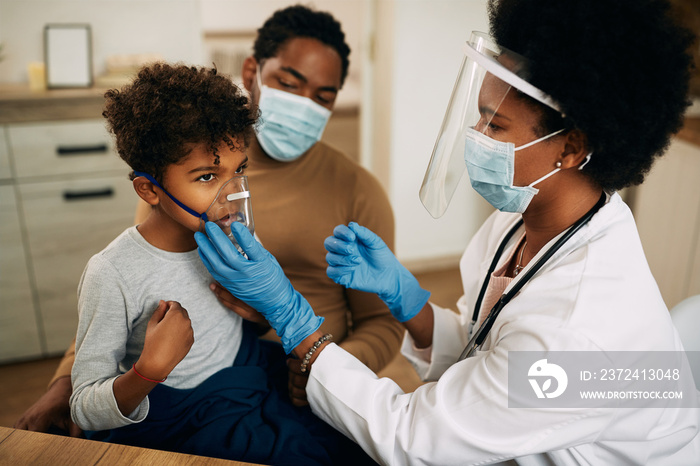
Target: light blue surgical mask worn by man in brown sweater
x: 289, y: 124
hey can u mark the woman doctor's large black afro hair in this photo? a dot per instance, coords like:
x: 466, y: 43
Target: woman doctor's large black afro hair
x: 619, y: 70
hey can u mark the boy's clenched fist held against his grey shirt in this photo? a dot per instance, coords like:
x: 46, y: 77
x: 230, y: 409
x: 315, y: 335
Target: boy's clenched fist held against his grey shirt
x: 169, y: 337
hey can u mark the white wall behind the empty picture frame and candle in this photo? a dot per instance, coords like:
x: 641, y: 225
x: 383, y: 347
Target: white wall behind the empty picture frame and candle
x: 170, y: 28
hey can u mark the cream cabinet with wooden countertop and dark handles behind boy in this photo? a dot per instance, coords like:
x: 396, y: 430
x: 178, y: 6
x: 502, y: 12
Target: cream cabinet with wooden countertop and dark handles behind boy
x: 64, y: 195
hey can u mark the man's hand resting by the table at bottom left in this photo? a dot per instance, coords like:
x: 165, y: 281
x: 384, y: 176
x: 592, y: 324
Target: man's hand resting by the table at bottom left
x: 52, y: 409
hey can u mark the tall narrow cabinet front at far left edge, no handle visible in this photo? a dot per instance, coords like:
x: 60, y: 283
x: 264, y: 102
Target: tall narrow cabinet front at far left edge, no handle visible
x: 19, y: 334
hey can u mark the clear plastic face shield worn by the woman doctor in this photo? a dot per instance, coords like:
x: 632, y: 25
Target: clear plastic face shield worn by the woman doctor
x: 487, y: 75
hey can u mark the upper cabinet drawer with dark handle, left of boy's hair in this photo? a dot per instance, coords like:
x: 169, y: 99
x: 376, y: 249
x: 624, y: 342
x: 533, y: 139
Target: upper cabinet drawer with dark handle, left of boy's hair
x: 62, y: 148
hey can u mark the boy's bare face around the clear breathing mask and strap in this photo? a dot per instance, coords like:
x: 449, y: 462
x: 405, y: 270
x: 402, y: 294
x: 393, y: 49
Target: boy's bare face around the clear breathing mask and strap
x: 196, y: 180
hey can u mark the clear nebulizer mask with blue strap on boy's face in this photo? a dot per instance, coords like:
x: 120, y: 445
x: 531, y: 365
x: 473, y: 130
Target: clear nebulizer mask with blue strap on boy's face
x: 231, y: 204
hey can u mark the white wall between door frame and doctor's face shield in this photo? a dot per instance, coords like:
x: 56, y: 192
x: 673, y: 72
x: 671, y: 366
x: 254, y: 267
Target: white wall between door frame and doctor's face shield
x: 428, y: 36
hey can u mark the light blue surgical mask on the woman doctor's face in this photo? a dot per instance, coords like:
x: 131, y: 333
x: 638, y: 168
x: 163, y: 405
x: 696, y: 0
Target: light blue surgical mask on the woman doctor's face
x: 491, y: 167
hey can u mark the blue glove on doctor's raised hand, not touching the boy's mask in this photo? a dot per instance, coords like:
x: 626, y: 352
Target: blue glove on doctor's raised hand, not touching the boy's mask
x: 359, y: 259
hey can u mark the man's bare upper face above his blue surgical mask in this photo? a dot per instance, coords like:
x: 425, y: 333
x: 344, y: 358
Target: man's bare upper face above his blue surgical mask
x: 305, y: 67
